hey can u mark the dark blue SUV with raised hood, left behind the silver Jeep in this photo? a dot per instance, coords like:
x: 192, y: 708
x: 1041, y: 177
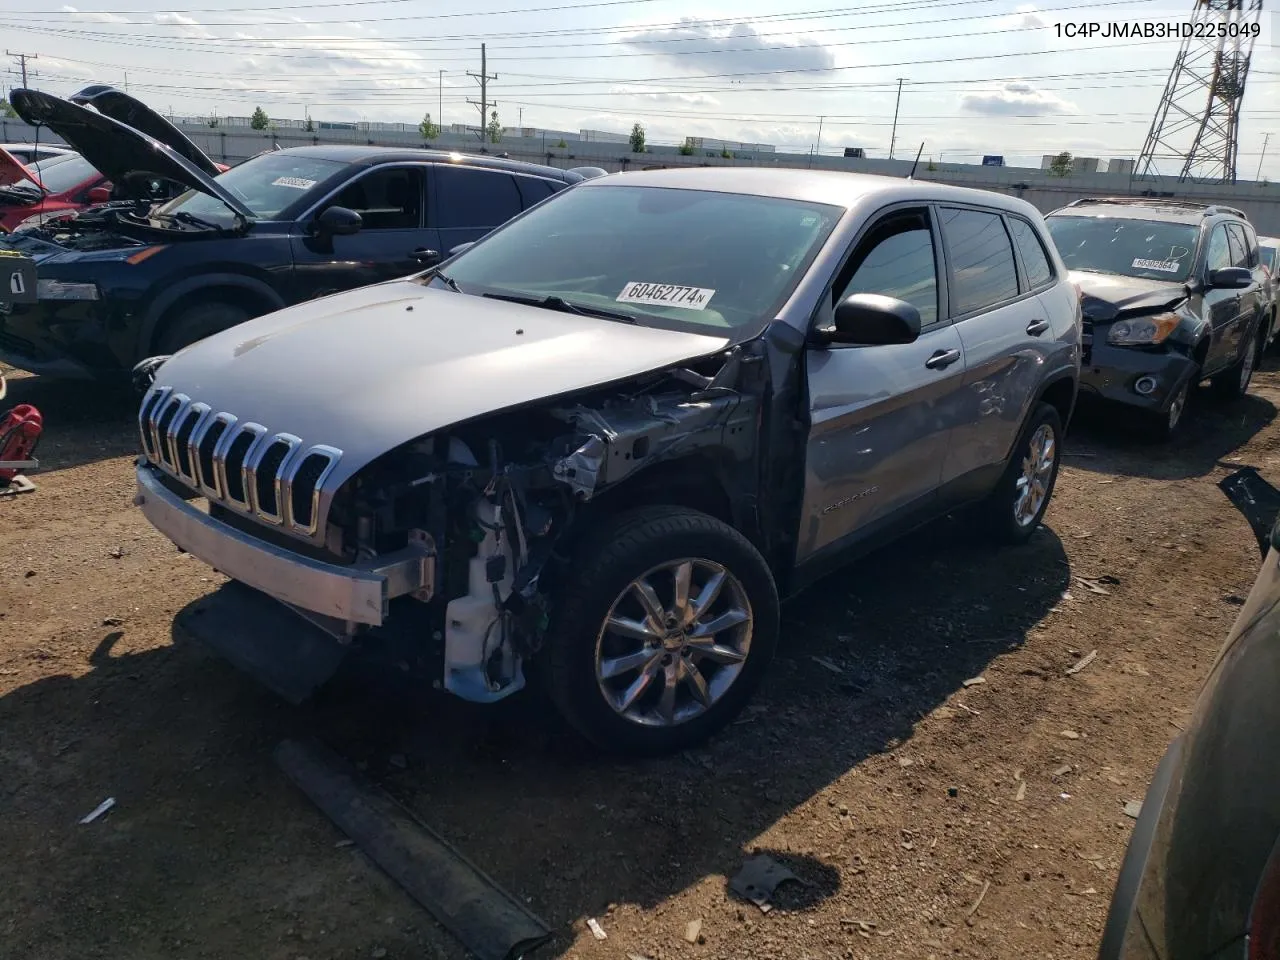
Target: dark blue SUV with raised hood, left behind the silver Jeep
x: 134, y: 280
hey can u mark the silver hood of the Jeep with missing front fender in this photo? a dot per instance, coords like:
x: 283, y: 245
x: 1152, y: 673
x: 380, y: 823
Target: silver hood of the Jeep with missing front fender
x: 376, y: 368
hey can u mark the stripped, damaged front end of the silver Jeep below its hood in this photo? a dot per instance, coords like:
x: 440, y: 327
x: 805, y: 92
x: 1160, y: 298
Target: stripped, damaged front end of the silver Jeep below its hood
x: 460, y: 538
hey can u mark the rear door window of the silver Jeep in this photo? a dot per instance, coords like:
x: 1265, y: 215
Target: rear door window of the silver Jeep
x: 982, y: 259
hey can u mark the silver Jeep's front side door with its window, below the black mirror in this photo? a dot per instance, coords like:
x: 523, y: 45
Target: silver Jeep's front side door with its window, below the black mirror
x: 881, y: 417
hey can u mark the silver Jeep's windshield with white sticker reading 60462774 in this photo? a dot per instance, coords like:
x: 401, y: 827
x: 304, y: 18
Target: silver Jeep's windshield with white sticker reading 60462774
x: 668, y: 258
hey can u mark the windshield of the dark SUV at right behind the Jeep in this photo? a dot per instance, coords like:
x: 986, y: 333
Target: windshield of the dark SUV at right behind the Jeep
x: 1113, y: 245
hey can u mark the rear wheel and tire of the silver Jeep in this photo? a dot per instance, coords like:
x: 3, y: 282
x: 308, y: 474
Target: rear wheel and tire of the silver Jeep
x: 1017, y: 506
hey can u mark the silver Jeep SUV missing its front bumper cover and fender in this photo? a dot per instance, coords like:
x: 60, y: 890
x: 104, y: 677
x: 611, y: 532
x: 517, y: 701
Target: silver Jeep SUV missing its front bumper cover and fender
x: 605, y: 440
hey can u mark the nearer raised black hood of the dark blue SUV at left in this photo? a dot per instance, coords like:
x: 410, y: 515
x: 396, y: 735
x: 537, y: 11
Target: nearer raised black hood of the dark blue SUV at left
x: 116, y: 149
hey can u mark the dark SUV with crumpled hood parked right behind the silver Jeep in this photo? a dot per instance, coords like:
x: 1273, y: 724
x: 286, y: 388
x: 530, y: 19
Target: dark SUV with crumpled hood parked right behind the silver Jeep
x: 1173, y: 295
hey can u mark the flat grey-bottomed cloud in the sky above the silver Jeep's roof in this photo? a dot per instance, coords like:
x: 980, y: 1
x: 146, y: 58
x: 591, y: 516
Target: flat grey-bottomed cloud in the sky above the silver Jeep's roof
x: 702, y: 48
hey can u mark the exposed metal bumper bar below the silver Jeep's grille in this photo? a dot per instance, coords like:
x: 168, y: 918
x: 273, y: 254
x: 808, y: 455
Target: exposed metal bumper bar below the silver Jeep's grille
x: 358, y: 593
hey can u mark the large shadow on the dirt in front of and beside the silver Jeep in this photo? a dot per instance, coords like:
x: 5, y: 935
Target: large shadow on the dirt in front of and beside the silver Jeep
x: 205, y: 821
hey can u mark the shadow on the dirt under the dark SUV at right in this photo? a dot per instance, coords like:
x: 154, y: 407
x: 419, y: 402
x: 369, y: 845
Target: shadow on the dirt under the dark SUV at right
x: 1112, y: 442
